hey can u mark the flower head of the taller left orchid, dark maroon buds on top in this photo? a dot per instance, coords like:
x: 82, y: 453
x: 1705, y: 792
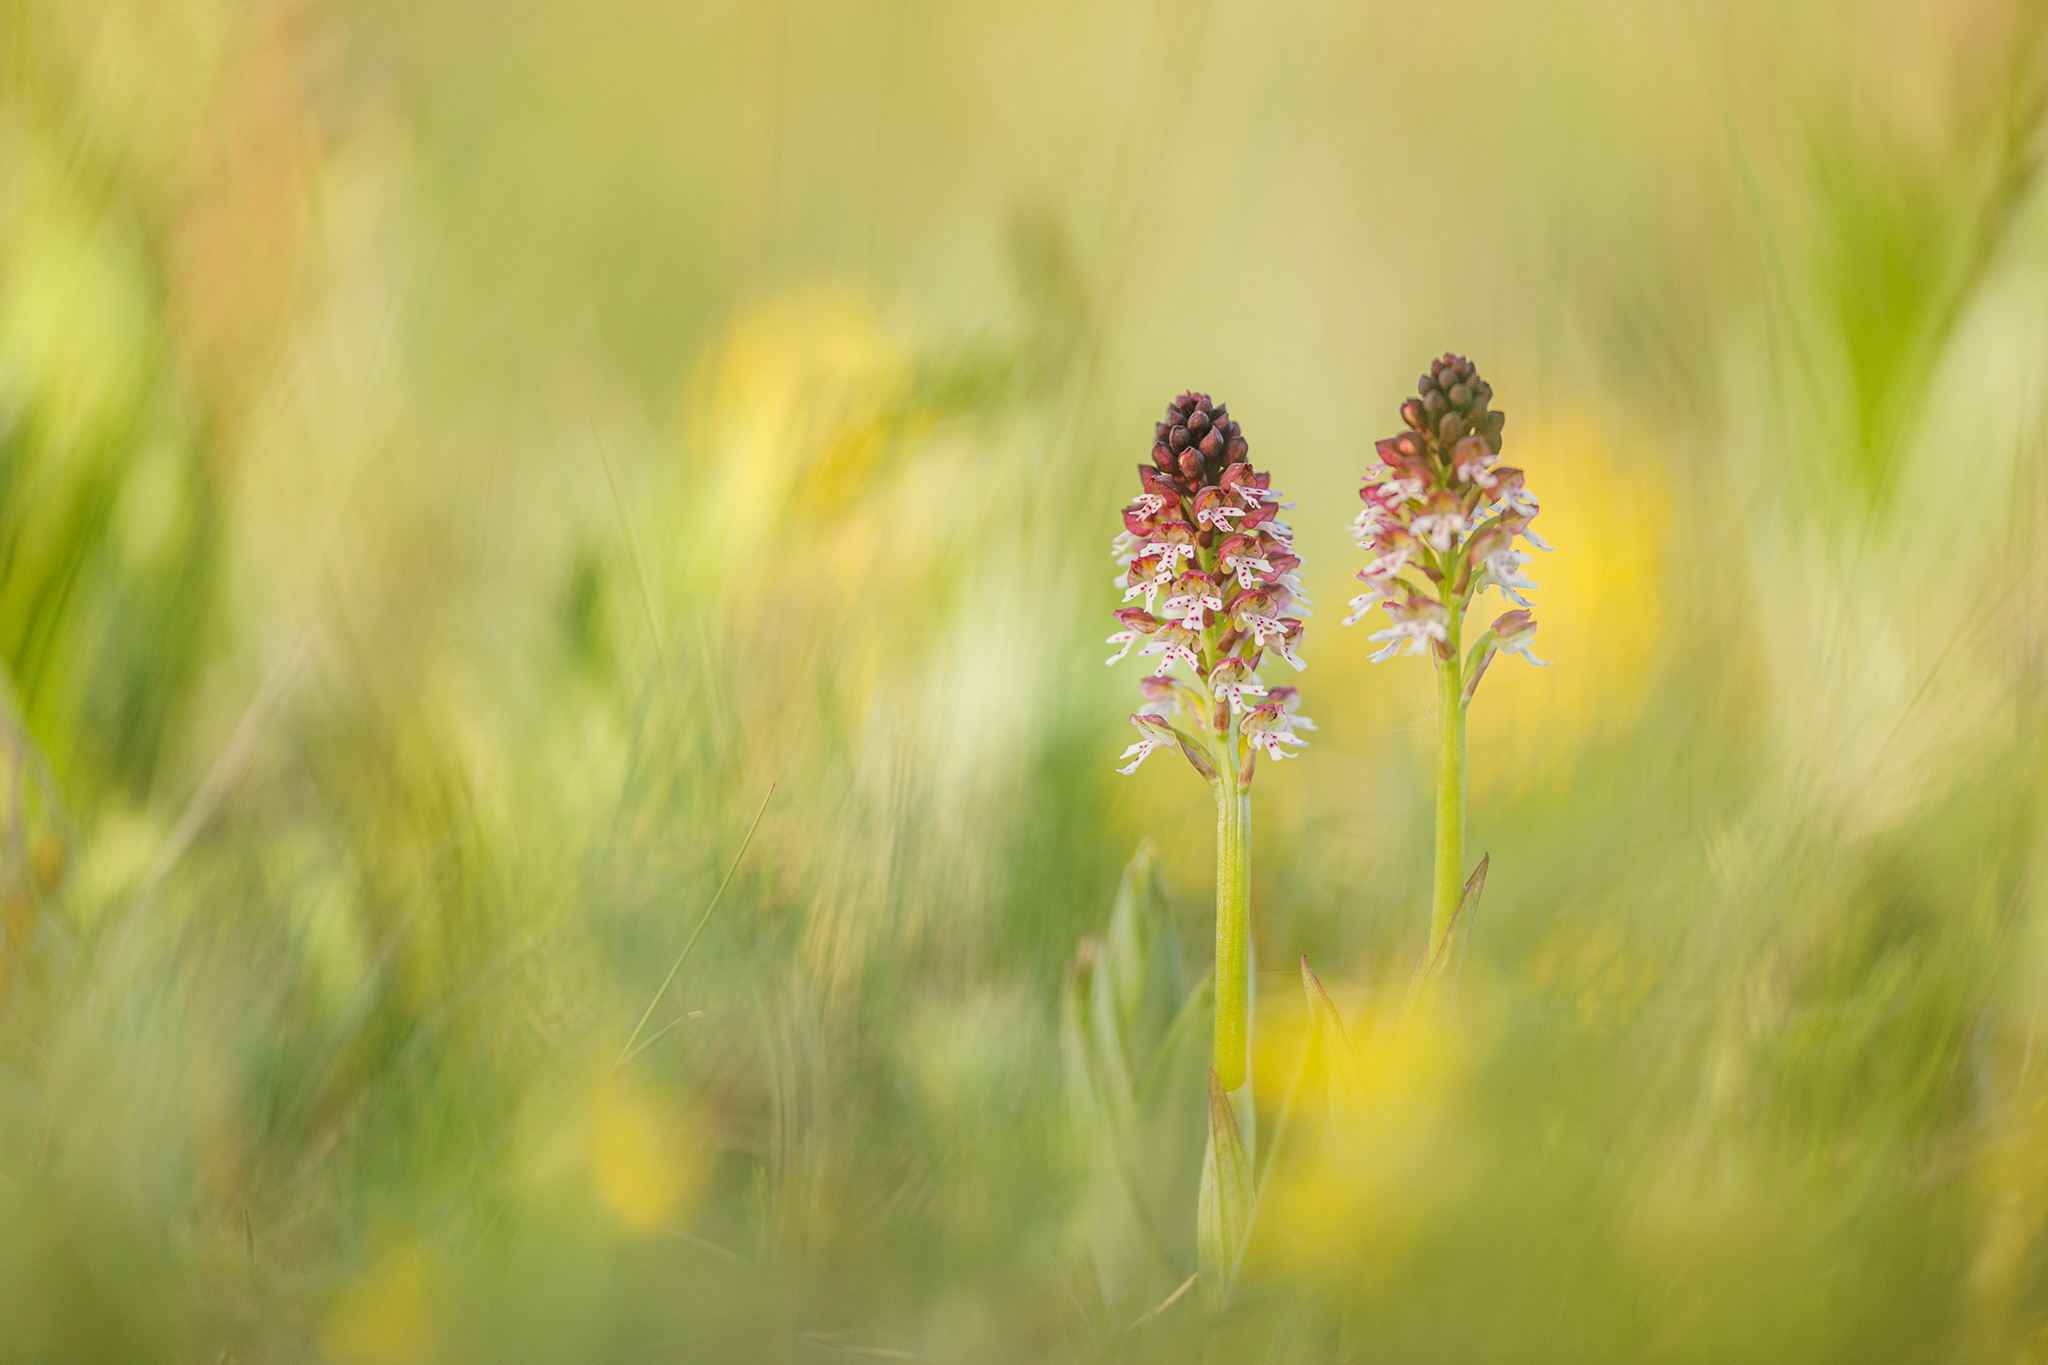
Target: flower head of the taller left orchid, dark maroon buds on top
x: 1207, y: 552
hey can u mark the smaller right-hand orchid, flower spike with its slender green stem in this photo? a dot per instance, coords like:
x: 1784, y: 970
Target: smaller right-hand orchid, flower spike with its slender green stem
x: 1443, y: 507
